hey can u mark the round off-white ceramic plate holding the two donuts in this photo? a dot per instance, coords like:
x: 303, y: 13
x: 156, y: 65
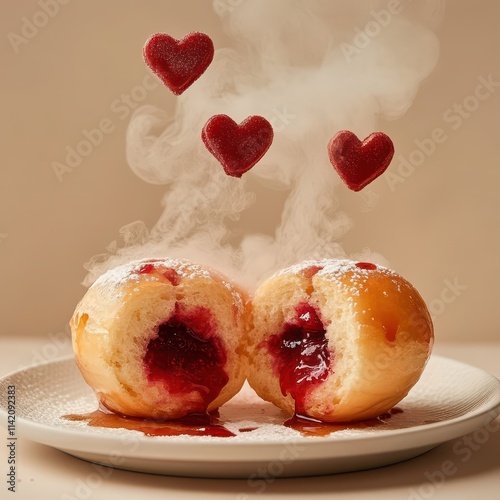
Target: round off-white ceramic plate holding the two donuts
x: 450, y: 400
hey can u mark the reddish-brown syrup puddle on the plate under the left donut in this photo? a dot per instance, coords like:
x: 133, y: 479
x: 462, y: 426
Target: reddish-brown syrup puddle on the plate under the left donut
x: 191, y: 425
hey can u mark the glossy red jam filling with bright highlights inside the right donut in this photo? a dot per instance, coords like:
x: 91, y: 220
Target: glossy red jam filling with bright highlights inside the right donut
x: 301, y: 354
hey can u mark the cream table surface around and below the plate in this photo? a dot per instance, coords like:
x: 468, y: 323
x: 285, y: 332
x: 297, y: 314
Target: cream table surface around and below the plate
x: 44, y: 472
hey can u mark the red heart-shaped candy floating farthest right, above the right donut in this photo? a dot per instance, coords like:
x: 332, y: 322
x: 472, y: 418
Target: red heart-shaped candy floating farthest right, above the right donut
x: 359, y: 163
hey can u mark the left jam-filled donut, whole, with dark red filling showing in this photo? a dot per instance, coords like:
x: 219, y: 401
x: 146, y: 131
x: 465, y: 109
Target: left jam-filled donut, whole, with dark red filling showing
x: 161, y: 339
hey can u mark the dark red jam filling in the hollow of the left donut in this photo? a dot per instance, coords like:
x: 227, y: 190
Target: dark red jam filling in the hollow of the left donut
x: 188, y: 356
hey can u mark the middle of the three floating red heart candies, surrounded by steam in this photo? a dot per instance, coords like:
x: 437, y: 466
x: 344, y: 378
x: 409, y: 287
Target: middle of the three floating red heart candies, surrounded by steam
x: 237, y: 147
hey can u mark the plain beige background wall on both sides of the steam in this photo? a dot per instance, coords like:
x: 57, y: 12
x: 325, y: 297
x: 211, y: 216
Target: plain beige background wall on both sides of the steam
x: 439, y: 228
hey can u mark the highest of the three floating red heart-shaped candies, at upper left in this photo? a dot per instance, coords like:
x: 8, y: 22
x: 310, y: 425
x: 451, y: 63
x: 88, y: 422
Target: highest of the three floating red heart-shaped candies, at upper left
x: 178, y: 63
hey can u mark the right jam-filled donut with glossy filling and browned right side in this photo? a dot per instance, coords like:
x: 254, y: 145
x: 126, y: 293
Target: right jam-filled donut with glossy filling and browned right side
x: 337, y: 340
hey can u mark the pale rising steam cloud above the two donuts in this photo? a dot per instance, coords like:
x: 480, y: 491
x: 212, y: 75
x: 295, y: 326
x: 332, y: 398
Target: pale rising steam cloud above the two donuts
x: 307, y: 68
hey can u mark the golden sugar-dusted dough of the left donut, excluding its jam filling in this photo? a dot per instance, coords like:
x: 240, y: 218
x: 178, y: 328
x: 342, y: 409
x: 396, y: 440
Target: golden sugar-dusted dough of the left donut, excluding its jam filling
x: 121, y: 312
